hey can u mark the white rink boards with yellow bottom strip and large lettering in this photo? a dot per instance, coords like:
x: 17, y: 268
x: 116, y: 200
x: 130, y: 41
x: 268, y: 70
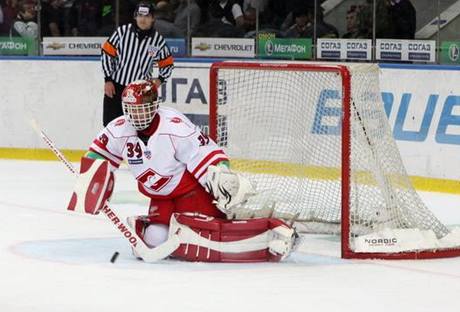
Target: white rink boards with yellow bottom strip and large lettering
x: 66, y: 99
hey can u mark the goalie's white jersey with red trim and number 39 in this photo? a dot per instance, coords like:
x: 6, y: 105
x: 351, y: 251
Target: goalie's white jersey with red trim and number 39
x: 174, y: 160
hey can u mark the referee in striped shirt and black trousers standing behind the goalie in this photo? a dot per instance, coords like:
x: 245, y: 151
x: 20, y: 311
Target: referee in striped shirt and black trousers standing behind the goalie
x: 129, y: 55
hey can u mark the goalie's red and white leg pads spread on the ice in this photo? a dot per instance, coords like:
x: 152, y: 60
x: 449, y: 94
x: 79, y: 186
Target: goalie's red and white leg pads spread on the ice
x: 207, y: 239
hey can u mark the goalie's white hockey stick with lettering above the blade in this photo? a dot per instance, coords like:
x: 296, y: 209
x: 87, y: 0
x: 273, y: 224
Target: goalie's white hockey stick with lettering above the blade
x: 146, y: 253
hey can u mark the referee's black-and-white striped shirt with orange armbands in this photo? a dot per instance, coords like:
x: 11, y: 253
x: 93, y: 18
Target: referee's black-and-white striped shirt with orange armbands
x: 127, y: 58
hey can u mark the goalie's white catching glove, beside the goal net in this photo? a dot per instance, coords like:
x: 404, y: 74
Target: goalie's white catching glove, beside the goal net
x: 229, y: 189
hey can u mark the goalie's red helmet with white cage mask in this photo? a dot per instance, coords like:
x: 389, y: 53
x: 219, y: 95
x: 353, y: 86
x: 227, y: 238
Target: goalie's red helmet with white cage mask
x: 140, y: 103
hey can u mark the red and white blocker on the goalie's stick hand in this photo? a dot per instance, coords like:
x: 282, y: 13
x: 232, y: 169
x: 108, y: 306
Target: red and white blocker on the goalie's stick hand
x: 93, y: 188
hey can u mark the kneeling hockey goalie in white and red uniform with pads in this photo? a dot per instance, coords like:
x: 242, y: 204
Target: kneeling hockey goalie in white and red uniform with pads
x: 194, y: 195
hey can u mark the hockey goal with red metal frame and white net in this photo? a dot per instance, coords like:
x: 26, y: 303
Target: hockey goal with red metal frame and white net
x: 316, y: 141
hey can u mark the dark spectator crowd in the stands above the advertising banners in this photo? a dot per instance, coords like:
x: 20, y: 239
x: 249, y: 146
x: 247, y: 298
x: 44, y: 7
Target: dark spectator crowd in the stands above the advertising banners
x: 207, y: 18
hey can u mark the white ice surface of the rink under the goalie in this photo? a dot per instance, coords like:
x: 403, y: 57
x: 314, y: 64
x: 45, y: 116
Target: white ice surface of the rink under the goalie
x: 52, y: 260
